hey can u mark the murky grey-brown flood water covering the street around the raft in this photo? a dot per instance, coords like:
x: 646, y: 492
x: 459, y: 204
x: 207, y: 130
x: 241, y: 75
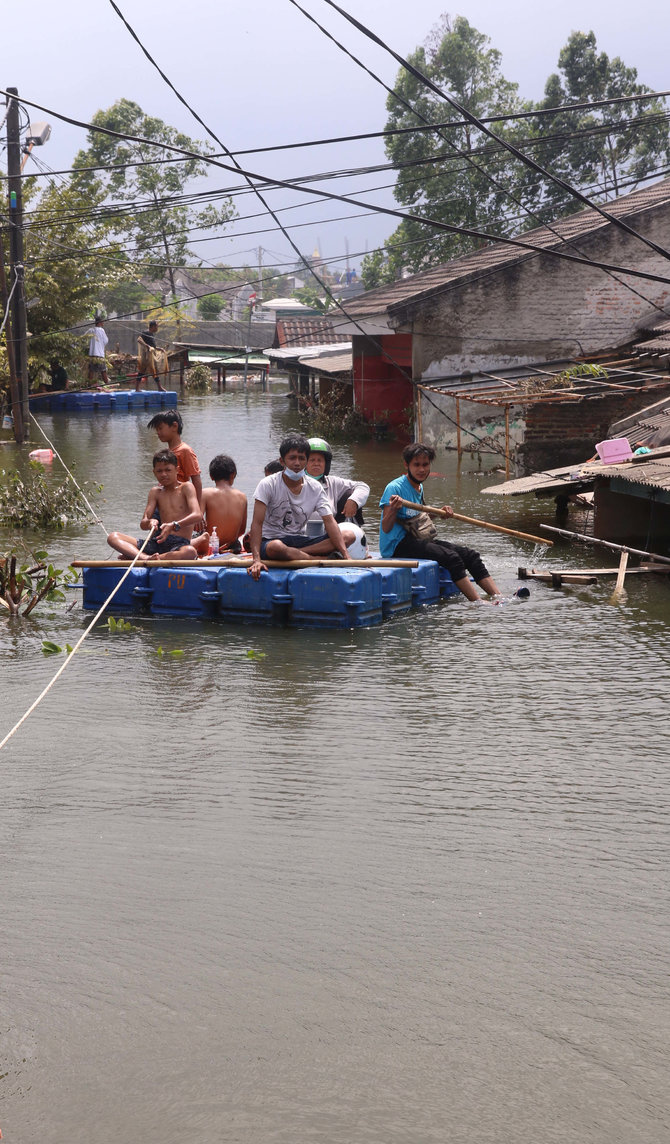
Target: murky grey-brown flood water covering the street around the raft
x: 404, y: 886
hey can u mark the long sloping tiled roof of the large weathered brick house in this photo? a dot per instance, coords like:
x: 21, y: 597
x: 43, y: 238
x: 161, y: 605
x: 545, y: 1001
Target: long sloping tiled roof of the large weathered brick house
x: 499, y: 255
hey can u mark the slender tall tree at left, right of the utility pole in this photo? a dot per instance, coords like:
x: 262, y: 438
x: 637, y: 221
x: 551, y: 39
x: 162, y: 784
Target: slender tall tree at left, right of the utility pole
x: 147, y: 186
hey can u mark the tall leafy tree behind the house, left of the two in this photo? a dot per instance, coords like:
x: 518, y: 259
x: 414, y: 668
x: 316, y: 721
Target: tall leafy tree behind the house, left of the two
x: 435, y: 178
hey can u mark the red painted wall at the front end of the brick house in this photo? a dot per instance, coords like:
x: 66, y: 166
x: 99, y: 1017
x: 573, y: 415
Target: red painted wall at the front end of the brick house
x: 382, y: 391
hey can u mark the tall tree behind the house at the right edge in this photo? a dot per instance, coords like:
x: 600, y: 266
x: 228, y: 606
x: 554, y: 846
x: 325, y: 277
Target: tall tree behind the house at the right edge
x: 604, y: 152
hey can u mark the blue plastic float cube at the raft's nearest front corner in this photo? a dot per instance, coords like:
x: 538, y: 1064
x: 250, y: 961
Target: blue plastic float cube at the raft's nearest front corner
x: 336, y: 598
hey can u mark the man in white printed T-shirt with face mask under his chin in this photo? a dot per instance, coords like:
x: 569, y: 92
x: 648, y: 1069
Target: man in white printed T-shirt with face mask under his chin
x: 283, y: 505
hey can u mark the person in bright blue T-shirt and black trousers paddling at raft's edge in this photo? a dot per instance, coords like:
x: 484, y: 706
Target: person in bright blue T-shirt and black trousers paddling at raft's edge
x: 396, y: 539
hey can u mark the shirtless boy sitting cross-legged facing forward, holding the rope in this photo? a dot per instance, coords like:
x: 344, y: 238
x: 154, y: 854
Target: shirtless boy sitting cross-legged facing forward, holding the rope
x: 177, y: 505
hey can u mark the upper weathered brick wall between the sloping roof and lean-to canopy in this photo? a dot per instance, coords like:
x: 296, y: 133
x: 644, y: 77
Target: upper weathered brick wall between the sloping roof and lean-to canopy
x: 541, y: 308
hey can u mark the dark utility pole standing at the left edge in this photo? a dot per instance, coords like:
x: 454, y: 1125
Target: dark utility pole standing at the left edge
x: 17, y: 284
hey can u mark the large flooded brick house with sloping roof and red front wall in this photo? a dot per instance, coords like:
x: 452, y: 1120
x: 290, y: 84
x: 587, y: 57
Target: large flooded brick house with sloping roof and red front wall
x: 528, y: 349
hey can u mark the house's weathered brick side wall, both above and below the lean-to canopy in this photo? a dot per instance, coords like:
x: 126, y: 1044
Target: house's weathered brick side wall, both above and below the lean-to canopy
x: 539, y: 309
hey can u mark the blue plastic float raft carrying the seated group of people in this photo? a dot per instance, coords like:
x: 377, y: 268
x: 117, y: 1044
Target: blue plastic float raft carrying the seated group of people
x: 320, y: 598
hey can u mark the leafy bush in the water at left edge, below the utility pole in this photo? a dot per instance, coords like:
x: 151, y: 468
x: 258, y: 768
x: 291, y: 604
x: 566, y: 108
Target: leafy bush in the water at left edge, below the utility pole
x: 30, y: 500
